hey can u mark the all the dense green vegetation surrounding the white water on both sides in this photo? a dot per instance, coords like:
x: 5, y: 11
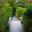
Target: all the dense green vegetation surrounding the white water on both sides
x: 22, y: 10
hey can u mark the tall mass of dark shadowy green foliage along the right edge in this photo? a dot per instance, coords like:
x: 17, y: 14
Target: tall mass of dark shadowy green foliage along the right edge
x: 28, y: 17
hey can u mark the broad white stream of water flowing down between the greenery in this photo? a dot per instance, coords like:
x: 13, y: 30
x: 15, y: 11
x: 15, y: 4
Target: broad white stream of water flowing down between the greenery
x: 15, y: 25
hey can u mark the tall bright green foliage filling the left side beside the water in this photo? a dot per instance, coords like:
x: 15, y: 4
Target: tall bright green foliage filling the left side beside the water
x: 5, y: 13
